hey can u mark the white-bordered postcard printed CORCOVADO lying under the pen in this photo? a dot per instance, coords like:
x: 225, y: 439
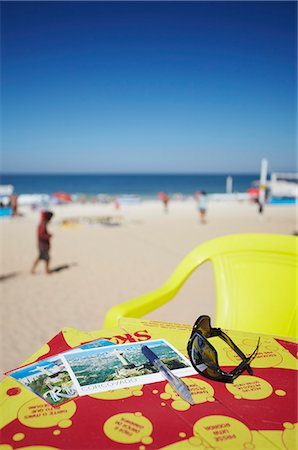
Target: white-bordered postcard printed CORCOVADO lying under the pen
x: 118, y: 366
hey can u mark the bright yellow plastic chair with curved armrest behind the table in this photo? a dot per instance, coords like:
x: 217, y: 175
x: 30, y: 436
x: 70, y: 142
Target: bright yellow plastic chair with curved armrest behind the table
x: 255, y: 275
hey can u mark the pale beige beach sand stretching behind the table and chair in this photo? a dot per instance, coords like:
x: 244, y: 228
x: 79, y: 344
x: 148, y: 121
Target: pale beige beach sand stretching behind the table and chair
x: 106, y: 265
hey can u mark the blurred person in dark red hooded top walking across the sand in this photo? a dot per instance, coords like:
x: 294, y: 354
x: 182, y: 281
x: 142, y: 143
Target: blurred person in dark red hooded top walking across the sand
x: 44, y: 238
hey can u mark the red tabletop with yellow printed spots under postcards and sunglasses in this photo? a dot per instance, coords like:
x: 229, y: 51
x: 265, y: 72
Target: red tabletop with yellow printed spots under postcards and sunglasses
x: 255, y: 412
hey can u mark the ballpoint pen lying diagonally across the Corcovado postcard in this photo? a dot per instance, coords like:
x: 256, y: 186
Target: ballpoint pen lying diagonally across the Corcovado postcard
x: 177, y: 384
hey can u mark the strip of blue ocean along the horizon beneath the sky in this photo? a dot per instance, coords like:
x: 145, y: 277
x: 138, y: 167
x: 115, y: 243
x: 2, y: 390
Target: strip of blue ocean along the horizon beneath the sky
x: 141, y: 185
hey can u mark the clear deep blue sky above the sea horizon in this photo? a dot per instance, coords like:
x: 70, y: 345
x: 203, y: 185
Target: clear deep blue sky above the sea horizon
x: 168, y: 87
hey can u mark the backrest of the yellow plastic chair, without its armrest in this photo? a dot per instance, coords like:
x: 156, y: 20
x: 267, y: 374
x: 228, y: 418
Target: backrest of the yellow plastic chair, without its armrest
x: 256, y: 283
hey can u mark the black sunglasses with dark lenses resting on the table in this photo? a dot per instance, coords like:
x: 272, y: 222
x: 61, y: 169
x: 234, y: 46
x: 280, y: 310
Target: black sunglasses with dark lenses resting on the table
x: 203, y: 355
